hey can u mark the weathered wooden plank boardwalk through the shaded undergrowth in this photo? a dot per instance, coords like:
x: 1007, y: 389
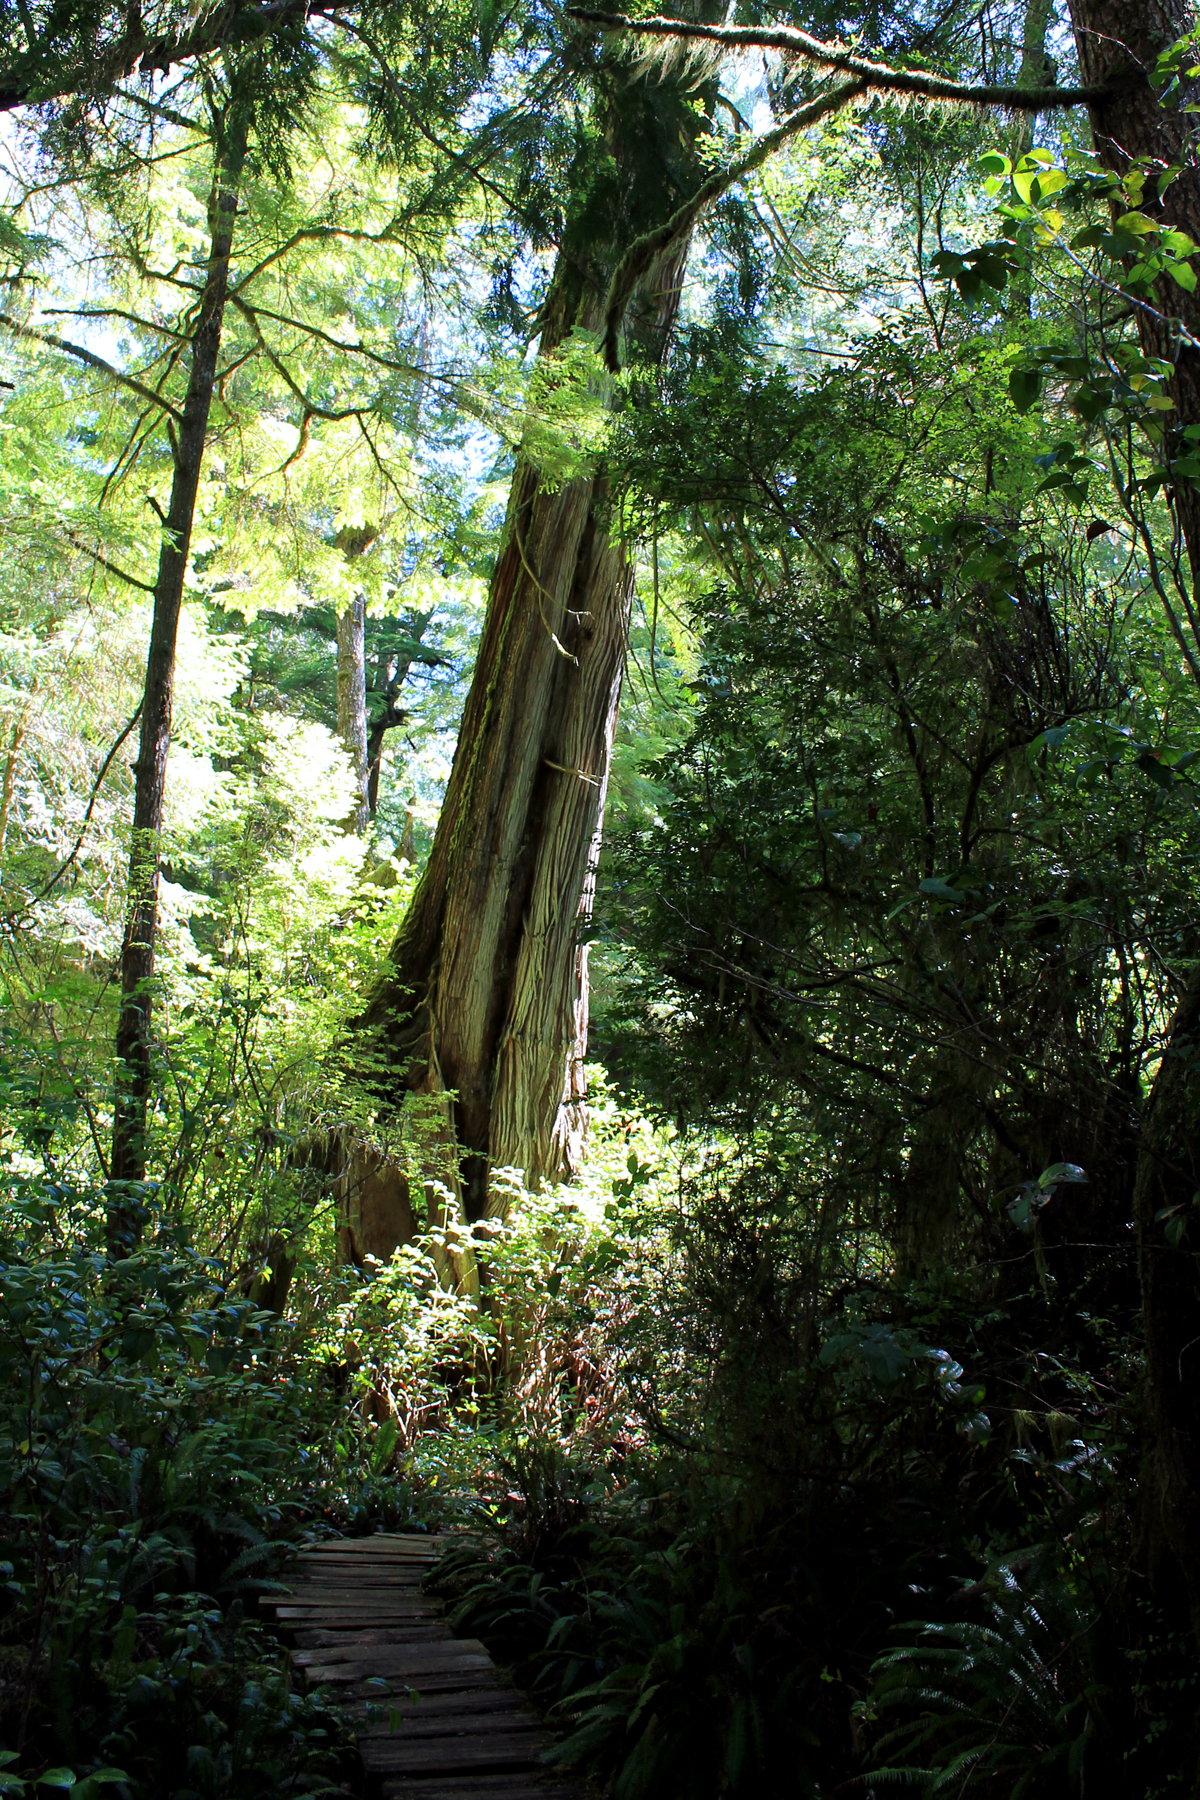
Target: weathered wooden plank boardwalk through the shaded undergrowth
x: 433, y: 1714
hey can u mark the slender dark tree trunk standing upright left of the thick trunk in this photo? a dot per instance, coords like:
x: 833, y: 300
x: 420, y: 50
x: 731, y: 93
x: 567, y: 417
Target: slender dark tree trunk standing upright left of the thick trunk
x: 138, y: 955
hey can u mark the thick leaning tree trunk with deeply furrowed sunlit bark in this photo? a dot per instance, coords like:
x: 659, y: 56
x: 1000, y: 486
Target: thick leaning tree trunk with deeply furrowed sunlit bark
x: 488, y: 998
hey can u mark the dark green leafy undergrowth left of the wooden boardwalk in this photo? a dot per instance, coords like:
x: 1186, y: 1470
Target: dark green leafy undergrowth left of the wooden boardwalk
x: 152, y: 1466
